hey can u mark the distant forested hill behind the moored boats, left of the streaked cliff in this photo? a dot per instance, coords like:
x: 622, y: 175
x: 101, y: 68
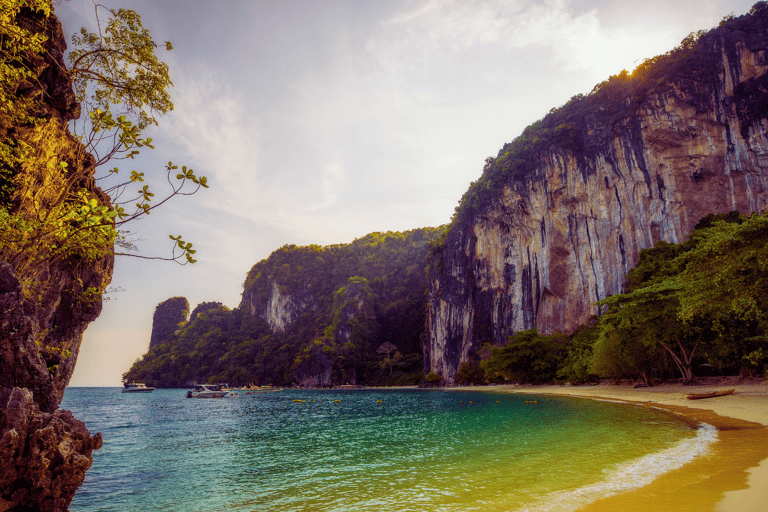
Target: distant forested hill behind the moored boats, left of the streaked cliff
x: 340, y: 314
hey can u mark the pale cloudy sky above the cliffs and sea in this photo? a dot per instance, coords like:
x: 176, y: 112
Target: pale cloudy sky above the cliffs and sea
x: 320, y: 121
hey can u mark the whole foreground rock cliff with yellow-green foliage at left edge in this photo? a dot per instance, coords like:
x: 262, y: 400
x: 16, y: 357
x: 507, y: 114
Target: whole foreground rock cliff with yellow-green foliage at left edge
x: 50, y: 283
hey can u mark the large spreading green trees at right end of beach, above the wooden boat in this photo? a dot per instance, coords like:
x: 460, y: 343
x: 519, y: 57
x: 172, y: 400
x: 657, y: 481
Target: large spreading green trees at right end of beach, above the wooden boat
x: 705, y: 295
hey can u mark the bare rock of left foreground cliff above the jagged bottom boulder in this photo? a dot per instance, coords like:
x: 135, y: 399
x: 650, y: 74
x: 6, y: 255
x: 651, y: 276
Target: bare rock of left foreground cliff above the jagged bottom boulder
x: 42, y: 324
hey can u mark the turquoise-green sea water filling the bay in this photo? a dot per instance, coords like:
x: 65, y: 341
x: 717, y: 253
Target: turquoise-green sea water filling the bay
x: 405, y: 450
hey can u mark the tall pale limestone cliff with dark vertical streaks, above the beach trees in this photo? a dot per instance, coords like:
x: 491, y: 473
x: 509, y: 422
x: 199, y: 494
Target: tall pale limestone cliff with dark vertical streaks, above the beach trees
x: 643, y: 162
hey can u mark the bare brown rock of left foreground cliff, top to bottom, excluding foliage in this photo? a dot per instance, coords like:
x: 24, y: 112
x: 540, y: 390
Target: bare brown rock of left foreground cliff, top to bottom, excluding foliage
x: 44, y: 452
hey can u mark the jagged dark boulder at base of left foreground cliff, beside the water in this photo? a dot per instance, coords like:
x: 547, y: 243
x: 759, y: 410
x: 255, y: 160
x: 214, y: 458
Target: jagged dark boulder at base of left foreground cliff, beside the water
x: 45, y: 455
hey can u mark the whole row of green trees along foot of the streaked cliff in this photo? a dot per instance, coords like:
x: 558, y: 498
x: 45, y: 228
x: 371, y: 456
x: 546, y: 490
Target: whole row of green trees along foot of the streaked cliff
x: 697, y: 308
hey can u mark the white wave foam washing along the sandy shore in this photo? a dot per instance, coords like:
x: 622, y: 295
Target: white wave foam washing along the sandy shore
x: 631, y: 475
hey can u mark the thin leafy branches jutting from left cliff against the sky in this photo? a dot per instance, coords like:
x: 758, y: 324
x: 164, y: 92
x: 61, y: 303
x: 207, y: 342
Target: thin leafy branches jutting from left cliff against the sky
x: 123, y: 86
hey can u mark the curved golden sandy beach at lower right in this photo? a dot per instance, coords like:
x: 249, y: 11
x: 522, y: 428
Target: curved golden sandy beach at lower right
x: 731, y: 477
